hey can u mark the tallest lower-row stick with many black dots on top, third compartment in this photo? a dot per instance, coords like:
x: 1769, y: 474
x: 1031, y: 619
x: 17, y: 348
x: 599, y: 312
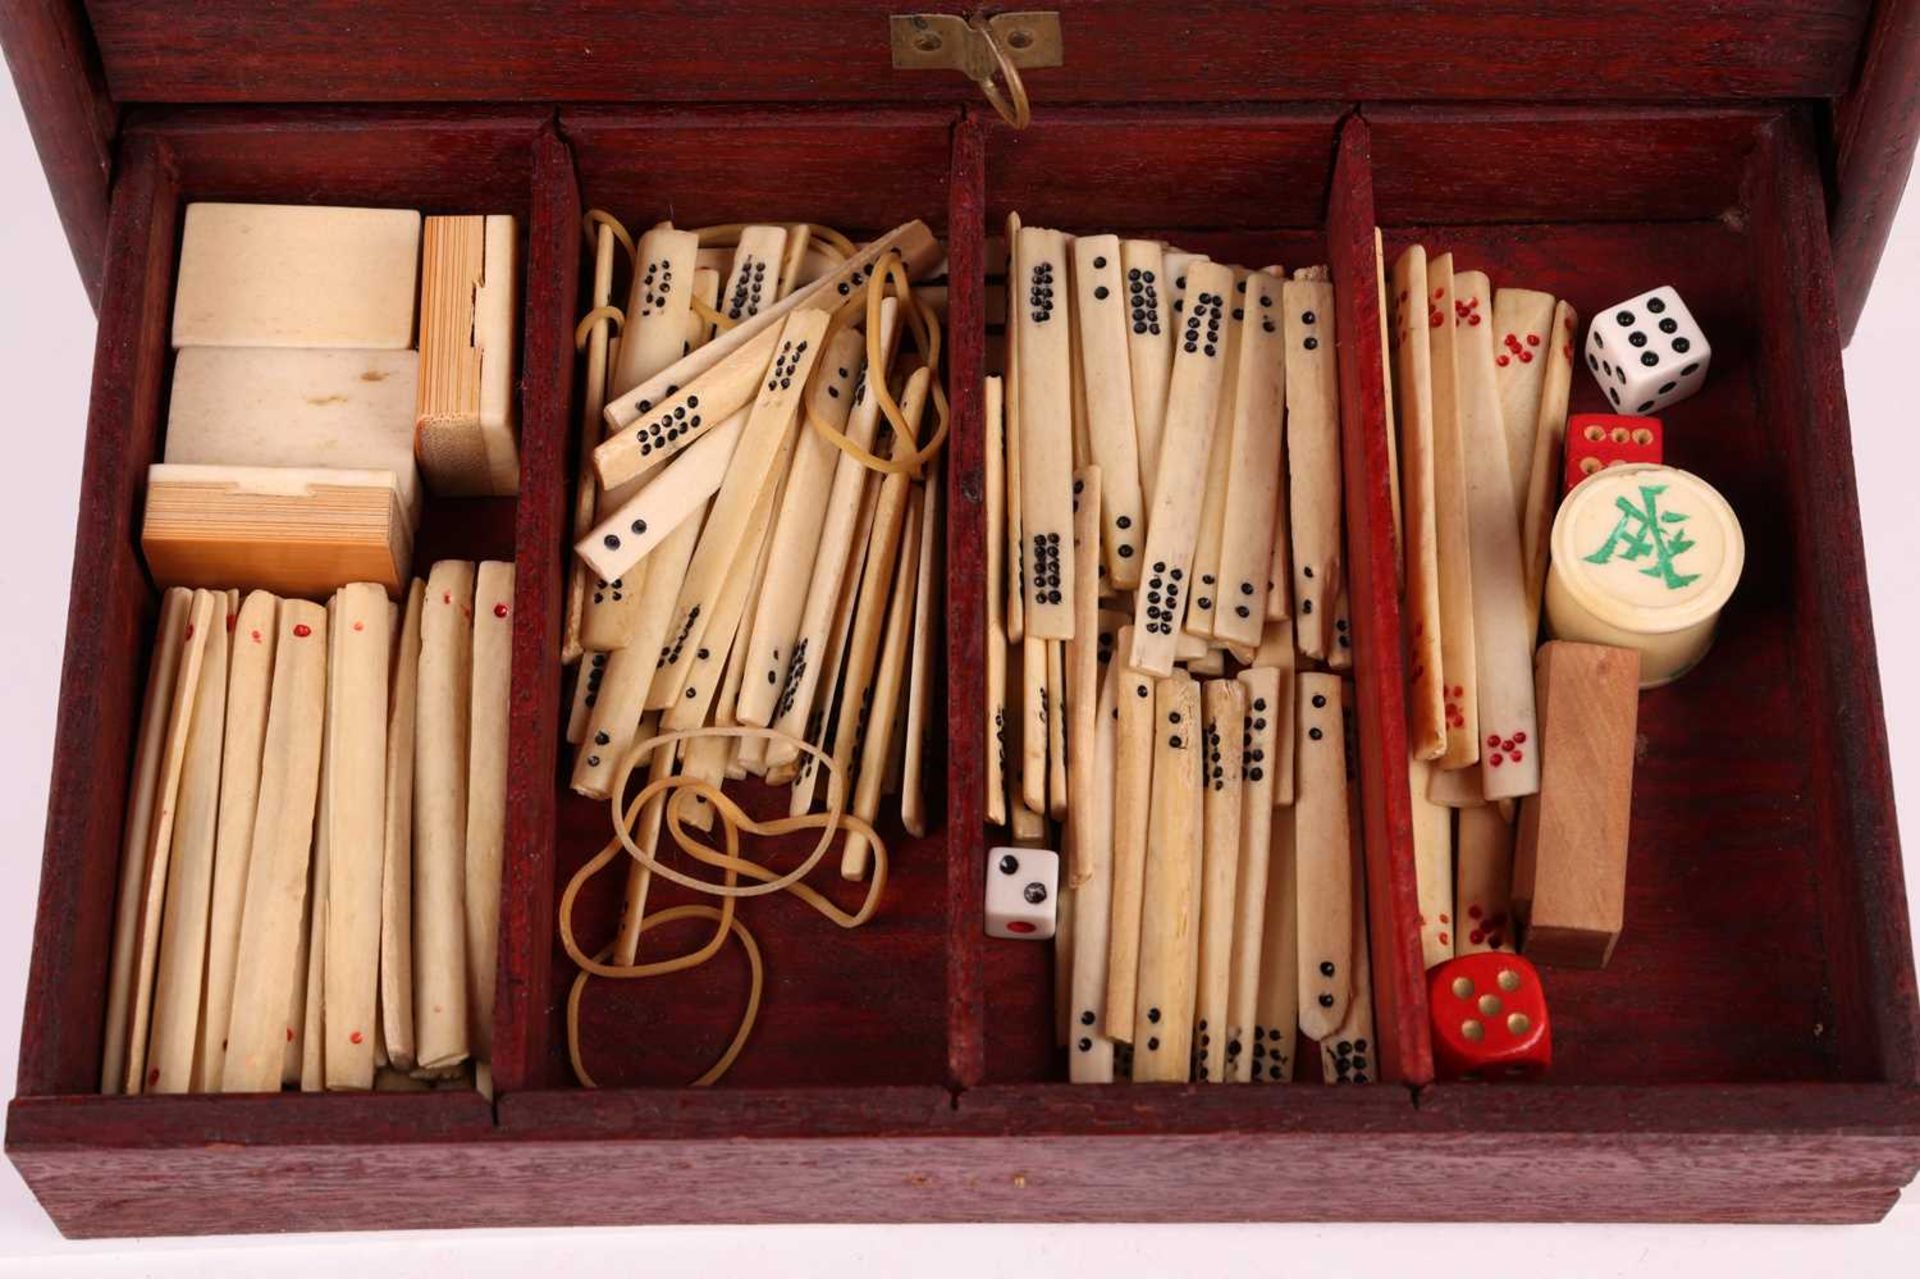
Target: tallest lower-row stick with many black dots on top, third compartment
x: 1259, y: 763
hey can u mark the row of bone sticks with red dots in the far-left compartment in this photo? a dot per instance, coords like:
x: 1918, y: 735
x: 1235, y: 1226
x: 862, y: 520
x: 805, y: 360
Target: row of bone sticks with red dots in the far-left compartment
x: 283, y: 905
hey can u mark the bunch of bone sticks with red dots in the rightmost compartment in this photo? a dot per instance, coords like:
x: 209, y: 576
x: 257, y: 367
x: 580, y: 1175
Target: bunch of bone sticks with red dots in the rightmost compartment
x: 1499, y: 379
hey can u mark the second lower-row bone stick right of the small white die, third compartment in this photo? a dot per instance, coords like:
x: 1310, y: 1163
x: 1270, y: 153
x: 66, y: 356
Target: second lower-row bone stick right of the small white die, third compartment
x: 1134, y: 790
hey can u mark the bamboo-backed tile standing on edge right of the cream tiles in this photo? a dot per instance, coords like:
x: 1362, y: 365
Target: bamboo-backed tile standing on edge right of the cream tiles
x: 468, y: 425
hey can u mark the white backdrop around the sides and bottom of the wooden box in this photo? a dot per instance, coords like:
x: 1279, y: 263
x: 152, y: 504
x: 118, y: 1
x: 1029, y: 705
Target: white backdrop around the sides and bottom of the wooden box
x: 47, y: 341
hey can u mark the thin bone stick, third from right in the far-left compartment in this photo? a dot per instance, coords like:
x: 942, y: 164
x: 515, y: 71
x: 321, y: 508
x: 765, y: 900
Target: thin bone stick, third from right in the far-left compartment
x: 396, y: 871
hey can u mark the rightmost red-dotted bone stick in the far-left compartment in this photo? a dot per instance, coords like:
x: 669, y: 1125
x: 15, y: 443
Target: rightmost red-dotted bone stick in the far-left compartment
x: 487, y: 792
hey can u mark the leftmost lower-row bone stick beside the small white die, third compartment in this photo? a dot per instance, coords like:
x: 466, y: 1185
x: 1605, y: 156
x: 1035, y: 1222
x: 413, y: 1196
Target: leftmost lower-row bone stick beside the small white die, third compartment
x: 1090, y: 1048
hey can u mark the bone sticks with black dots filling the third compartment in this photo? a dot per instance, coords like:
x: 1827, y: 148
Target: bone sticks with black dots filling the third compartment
x: 1205, y: 921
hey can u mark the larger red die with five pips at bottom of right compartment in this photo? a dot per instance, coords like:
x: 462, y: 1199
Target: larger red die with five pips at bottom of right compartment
x: 1489, y: 1017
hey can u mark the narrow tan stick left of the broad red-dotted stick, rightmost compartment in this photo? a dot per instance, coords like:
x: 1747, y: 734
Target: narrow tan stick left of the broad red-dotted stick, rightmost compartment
x: 1458, y: 667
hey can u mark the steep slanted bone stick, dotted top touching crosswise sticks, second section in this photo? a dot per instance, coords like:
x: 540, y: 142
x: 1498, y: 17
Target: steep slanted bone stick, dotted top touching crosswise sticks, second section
x: 756, y: 471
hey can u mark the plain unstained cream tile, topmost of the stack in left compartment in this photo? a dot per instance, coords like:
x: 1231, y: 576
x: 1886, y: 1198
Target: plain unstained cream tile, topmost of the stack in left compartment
x: 297, y: 276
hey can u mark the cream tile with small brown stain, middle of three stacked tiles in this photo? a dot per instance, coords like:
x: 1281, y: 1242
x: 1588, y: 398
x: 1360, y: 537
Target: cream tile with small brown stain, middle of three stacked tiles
x: 297, y: 408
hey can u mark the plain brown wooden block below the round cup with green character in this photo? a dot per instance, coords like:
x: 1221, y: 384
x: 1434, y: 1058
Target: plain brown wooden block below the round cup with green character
x: 1570, y: 871
